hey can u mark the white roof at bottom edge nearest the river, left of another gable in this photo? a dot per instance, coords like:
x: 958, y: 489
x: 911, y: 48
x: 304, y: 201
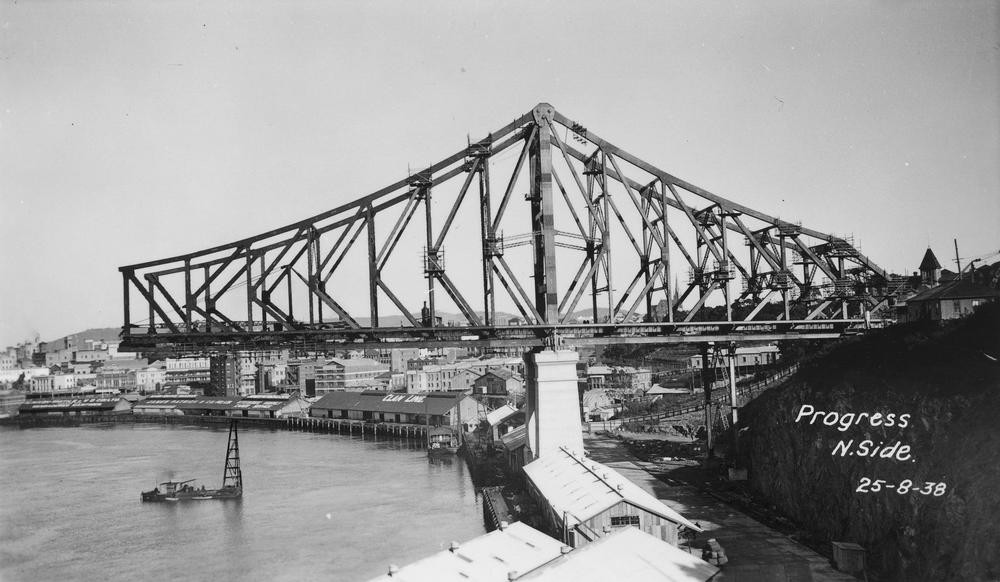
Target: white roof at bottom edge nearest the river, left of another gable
x: 489, y: 557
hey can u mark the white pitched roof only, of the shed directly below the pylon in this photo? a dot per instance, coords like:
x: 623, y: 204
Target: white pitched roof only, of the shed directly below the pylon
x: 581, y: 488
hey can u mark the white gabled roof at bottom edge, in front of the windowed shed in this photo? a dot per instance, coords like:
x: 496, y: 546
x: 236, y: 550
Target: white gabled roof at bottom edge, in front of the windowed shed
x: 628, y: 554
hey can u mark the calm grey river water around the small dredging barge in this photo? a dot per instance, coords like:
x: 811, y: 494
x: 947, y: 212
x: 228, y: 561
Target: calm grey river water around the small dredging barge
x: 314, y: 507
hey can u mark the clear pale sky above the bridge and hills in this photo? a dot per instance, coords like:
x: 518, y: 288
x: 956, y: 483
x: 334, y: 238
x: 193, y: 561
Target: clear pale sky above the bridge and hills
x: 140, y: 130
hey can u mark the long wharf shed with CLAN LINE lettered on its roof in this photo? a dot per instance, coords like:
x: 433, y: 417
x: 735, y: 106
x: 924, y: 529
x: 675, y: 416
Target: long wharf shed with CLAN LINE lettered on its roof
x: 428, y: 408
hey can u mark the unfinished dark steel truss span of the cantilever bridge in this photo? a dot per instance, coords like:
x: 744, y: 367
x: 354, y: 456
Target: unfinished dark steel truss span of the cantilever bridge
x: 647, y: 256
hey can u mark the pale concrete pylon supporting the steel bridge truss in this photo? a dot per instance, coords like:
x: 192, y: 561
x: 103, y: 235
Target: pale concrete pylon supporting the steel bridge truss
x: 553, y: 407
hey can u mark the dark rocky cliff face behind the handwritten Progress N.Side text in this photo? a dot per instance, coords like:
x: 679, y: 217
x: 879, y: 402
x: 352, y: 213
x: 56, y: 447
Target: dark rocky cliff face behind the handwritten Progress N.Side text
x: 946, y: 381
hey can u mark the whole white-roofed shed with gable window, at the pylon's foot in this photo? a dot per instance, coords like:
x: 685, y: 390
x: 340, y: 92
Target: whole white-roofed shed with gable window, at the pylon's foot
x: 582, y: 500
